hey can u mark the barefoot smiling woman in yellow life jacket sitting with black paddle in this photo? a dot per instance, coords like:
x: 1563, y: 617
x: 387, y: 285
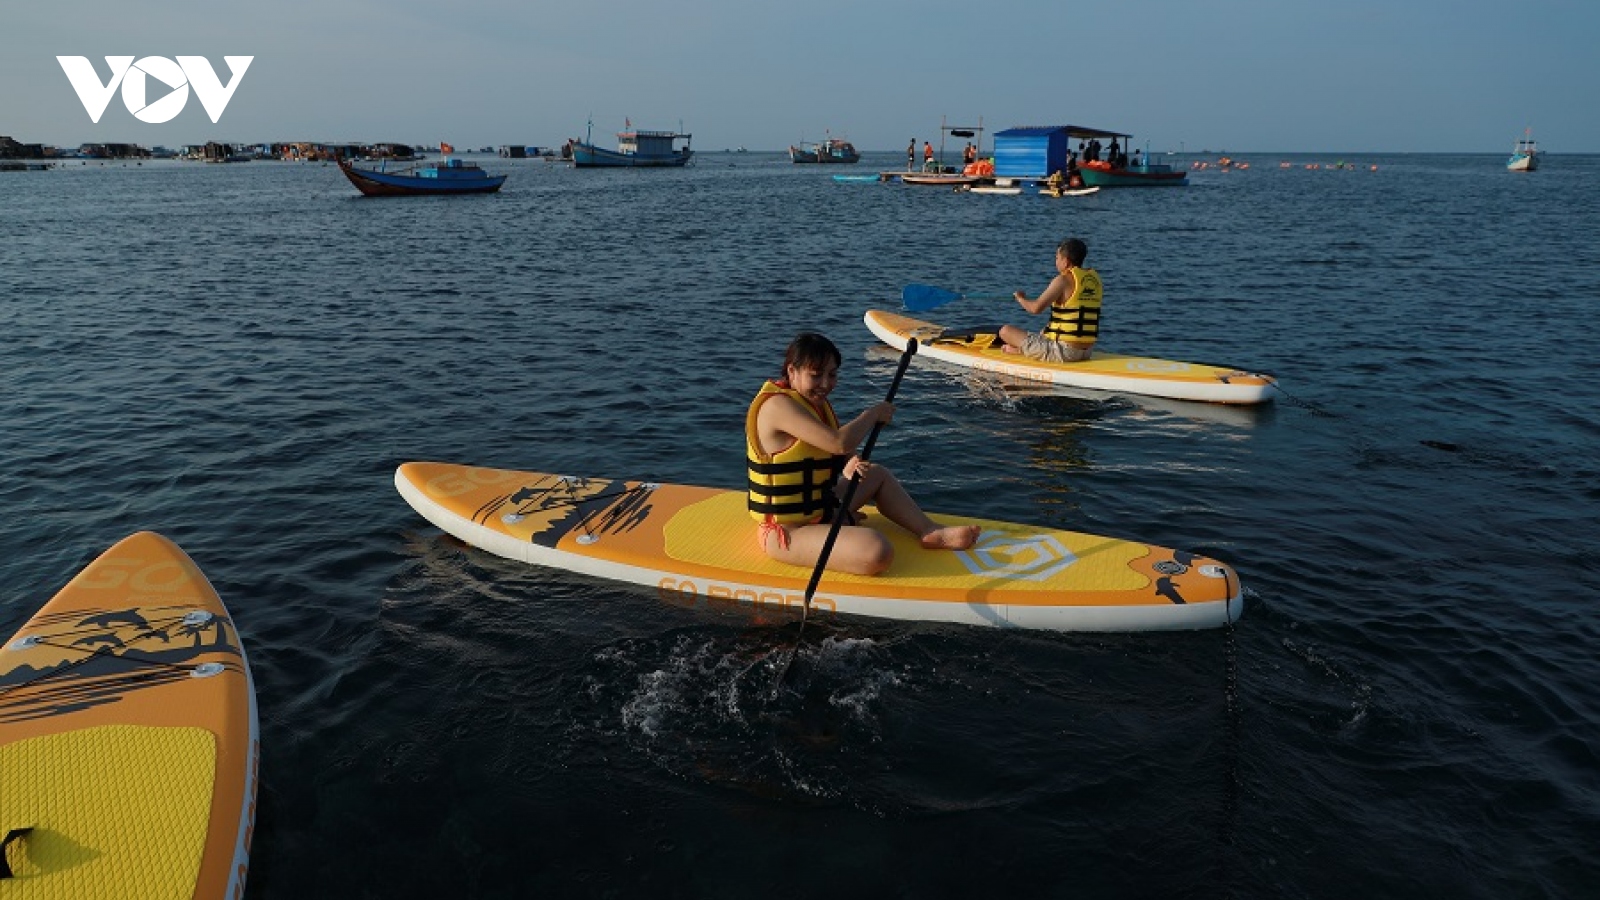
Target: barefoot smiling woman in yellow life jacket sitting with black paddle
x: 796, y: 452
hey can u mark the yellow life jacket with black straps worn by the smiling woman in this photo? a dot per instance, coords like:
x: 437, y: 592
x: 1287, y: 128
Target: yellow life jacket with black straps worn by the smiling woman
x: 794, y: 486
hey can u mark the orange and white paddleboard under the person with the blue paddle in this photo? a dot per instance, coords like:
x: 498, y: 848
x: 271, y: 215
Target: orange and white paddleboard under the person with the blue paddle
x: 1102, y: 372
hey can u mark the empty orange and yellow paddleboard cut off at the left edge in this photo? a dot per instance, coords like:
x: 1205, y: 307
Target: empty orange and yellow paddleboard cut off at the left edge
x: 129, y: 739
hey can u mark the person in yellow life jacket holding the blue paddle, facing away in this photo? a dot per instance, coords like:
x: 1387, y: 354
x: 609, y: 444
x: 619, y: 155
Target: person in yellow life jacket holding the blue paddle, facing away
x: 1074, y: 303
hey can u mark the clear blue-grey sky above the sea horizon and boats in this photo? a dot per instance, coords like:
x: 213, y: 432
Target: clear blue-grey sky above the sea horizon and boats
x: 1239, y: 76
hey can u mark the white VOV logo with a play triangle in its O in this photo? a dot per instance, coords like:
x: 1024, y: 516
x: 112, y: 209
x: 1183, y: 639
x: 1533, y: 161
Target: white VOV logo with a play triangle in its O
x: 190, y: 71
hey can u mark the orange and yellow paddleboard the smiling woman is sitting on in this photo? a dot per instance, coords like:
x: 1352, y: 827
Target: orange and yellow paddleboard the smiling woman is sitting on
x: 698, y: 544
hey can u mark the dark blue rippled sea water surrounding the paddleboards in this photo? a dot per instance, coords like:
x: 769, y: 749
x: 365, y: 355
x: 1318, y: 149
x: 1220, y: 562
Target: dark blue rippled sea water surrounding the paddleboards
x: 241, y: 356
